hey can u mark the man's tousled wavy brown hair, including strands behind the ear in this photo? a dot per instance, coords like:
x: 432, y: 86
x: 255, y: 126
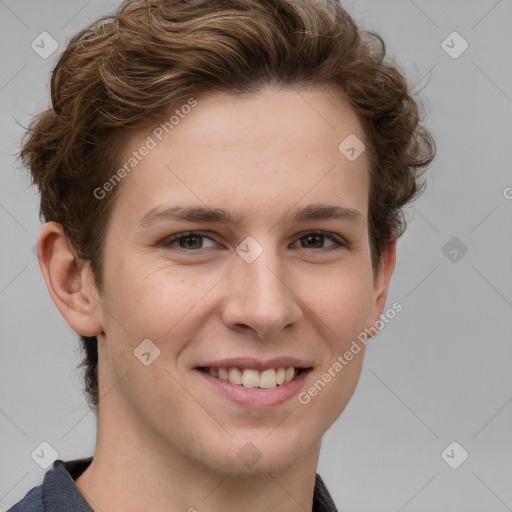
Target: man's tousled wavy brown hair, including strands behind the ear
x: 153, y: 55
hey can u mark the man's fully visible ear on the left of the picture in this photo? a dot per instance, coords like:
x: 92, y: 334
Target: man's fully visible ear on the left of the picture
x: 70, y: 285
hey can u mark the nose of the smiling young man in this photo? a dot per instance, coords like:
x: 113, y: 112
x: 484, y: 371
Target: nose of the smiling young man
x: 260, y: 296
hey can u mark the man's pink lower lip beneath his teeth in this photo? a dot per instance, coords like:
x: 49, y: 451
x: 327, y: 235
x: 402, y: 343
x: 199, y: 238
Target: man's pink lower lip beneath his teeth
x: 257, y: 396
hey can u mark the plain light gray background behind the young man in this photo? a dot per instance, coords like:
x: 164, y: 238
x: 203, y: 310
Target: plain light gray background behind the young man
x: 438, y: 373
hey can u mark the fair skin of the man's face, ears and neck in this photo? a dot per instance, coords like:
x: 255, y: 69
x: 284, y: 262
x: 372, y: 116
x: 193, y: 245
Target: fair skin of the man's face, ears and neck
x: 167, y: 439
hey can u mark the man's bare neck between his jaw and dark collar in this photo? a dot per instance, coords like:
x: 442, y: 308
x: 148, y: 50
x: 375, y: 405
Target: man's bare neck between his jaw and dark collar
x: 134, y: 469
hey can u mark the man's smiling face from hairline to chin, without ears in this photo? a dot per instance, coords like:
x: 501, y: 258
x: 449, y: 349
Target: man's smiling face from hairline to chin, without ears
x: 282, y: 278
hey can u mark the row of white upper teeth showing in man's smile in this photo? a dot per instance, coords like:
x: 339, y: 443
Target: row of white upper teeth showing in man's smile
x: 250, y: 378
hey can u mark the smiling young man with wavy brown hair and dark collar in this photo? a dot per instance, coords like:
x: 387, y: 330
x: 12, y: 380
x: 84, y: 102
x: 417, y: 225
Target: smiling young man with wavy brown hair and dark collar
x: 222, y: 183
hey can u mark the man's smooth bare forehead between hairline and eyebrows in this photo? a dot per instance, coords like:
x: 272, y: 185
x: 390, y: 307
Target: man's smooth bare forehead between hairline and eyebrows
x: 272, y: 149
